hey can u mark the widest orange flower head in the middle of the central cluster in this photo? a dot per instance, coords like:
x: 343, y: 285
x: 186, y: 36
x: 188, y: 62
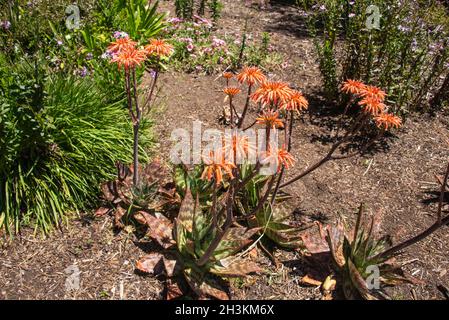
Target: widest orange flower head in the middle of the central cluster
x: 275, y: 92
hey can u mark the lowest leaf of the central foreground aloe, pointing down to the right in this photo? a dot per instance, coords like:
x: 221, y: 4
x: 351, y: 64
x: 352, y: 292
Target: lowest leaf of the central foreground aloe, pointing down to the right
x: 205, y: 285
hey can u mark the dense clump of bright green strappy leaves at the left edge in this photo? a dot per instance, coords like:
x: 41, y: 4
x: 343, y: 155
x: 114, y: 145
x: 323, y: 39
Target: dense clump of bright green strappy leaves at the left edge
x: 58, y: 140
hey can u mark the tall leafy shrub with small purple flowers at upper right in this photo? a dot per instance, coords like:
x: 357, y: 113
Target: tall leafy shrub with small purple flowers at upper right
x: 407, y: 53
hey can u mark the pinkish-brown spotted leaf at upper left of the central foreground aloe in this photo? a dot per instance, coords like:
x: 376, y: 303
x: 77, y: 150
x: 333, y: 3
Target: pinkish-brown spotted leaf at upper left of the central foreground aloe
x: 160, y: 228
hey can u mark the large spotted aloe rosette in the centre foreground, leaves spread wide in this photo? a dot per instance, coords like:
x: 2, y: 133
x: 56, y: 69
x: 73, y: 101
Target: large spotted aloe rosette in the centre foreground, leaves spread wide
x: 187, y: 240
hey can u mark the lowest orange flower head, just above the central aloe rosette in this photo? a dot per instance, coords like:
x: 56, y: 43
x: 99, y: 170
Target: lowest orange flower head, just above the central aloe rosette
x: 215, y: 165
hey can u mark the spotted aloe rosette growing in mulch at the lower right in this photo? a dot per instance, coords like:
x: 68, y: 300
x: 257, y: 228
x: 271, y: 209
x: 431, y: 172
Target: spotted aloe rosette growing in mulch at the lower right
x: 356, y: 258
